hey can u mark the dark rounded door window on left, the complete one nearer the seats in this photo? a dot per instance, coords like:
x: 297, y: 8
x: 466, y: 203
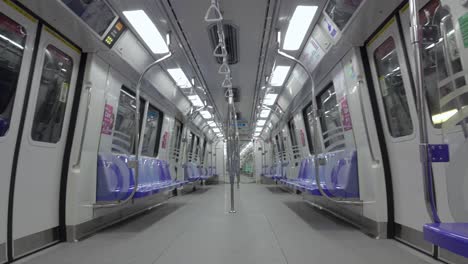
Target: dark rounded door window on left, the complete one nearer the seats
x: 52, y: 96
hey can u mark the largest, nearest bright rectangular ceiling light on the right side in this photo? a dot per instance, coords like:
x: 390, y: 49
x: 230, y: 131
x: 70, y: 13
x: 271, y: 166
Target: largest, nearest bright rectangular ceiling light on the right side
x: 298, y: 27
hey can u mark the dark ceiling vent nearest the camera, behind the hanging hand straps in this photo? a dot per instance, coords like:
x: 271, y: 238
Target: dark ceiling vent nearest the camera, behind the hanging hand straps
x: 232, y: 45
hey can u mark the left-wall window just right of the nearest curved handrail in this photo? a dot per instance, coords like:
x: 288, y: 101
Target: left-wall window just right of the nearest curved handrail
x: 152, y: 132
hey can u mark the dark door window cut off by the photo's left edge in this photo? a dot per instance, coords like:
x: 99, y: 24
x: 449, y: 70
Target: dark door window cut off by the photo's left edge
x: 12, y: 42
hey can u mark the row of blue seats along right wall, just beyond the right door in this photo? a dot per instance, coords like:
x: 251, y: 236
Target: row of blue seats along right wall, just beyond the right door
x: 338, y: 174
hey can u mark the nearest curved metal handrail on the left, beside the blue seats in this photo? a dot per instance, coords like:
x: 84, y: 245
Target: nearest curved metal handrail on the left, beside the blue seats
x: 135, y: 164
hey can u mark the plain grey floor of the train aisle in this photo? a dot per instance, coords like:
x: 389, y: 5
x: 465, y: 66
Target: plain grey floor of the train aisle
x: 270, y: 226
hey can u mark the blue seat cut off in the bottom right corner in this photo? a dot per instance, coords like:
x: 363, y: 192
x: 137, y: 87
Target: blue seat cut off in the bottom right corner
x: 450, y: 236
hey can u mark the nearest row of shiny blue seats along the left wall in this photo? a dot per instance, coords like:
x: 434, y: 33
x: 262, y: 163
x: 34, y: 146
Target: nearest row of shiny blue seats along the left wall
x: 115, y: 178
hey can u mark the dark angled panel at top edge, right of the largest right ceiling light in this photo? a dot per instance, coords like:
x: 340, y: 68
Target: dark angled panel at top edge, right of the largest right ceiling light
x: 340, y: 11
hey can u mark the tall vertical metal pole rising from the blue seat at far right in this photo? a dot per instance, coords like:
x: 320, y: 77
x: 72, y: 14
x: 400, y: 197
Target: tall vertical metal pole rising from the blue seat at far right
x: 428, y: 181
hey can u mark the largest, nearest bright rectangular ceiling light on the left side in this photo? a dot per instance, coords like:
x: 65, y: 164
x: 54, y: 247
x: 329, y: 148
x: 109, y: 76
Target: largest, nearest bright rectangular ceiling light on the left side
x: 147, y: 31
